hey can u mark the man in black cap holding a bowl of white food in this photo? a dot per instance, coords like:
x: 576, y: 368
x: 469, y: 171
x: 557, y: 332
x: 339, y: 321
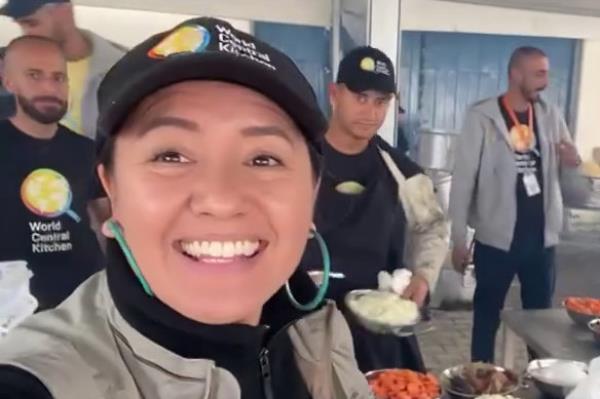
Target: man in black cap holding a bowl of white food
x: 370, y: 195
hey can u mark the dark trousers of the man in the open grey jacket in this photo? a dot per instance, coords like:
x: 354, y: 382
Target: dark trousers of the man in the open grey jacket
x: 495, y: 270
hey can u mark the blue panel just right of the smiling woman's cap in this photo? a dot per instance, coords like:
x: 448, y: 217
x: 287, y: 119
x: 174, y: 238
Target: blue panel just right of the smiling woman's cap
x: 308, y: 46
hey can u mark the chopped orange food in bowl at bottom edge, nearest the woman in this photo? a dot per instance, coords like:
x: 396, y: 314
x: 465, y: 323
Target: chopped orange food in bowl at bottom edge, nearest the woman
x: 403, y: 384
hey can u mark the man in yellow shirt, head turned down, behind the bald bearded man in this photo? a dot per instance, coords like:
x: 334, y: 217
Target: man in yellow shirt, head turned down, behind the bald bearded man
x: 89, y: 56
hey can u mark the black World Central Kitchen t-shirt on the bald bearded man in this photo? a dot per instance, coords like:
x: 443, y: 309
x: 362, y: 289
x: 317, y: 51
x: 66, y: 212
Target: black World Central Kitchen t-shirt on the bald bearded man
x: 46, y: 187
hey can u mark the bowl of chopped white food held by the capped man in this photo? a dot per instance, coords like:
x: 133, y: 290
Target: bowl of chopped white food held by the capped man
x: 383, y: 312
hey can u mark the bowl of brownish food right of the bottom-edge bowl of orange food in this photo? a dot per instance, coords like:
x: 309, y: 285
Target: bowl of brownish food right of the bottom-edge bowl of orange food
x: 476, y: 379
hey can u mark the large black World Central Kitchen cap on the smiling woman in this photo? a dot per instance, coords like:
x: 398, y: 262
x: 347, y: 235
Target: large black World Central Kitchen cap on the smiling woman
x: 206, y: 49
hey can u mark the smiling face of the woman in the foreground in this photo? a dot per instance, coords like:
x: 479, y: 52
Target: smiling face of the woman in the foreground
x: 213, y: 206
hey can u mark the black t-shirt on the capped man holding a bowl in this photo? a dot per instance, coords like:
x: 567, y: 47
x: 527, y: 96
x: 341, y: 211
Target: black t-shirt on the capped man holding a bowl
x: 363, y: 228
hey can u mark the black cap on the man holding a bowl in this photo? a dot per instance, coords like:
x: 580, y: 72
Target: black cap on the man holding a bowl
x: 367, y: 68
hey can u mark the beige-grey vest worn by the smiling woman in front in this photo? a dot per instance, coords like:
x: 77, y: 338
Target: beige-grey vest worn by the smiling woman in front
x: 85, y: 349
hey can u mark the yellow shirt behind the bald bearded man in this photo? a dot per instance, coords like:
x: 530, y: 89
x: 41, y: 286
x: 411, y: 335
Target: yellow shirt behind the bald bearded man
x: 78, y: 73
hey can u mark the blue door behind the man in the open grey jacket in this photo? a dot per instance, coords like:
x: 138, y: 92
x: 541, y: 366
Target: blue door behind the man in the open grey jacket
x: 443, y: 73
